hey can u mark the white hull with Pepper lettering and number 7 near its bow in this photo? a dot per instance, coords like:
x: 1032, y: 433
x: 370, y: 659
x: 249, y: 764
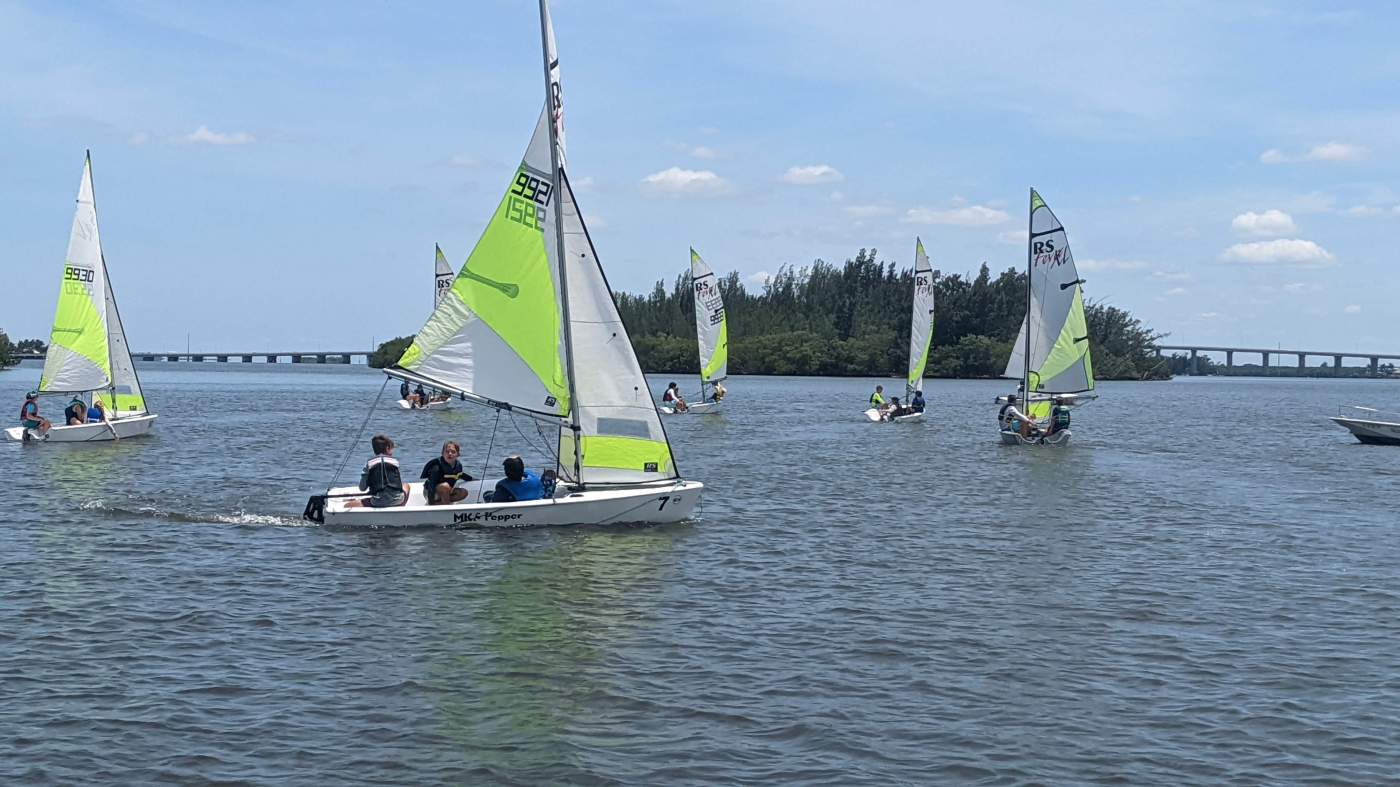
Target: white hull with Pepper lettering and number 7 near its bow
x: 671, y: 502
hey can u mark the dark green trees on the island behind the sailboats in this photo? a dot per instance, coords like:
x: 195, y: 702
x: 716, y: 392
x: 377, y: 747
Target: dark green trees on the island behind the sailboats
x: 853, y: 321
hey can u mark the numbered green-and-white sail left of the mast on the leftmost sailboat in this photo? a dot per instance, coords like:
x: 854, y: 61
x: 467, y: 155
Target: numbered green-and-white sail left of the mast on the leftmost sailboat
x: 79, y: 358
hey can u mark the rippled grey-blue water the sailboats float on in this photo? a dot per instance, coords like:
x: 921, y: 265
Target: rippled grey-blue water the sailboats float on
x: 1200, y: 590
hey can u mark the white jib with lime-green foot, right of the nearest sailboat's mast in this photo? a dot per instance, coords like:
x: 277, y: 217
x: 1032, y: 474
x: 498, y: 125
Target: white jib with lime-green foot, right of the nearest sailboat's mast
x: 622, y: 436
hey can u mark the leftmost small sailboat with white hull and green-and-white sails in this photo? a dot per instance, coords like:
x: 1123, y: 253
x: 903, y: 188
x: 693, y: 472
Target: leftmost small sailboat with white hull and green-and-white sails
x: 87, y: 354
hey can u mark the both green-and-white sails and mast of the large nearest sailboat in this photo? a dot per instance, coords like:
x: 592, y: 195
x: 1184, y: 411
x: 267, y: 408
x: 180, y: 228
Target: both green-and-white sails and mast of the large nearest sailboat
x: 509, y: 337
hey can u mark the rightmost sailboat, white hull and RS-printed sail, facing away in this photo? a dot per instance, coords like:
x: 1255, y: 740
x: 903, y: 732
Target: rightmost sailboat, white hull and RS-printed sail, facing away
x: 1052, y: 352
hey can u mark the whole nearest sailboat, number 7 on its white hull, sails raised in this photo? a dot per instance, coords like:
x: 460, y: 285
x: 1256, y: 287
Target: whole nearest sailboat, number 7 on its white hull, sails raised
x: 530, y: 330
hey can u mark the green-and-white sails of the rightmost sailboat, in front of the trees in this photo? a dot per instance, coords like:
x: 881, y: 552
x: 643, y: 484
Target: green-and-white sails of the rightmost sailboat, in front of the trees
x: 1059, y: 335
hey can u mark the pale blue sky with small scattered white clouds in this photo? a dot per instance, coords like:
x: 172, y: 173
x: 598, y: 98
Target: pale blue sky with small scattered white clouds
x: 272, y: 176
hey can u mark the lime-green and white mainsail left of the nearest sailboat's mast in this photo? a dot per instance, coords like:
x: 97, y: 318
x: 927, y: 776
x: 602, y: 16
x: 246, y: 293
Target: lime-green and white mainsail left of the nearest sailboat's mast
x: 503, y: 316
